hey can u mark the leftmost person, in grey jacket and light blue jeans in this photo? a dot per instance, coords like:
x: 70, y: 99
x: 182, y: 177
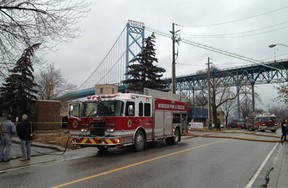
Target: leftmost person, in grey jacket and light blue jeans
x: 8, y: 129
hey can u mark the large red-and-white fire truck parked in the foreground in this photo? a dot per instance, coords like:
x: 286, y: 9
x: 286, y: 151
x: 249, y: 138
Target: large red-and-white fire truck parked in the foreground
x: 127, y: 119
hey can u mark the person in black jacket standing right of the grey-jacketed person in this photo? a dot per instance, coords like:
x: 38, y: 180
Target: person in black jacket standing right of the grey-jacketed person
x: 24, y: 131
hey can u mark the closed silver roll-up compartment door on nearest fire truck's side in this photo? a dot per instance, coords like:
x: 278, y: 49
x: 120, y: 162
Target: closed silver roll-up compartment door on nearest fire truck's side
x: 163, y: 122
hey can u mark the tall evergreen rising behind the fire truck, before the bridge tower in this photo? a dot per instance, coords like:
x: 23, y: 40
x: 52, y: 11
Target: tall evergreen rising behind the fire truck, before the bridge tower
x: 142, y: 71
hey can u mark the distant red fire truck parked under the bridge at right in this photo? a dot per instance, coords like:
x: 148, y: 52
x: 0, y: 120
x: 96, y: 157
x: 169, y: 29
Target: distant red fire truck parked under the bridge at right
x: 262, y: 122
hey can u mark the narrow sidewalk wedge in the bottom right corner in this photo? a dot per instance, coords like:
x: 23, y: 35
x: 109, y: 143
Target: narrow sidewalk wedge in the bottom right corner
x: 279, y: 177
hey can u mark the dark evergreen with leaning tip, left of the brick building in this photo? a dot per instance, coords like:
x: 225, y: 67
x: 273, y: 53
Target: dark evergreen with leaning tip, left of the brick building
x: 18, y: 93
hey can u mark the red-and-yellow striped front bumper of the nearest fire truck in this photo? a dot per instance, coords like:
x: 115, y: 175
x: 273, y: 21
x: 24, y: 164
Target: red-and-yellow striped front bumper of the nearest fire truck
x: 90, y: 141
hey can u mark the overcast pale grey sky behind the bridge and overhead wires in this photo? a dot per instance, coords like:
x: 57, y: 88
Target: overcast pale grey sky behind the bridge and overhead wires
x: 244, y: 27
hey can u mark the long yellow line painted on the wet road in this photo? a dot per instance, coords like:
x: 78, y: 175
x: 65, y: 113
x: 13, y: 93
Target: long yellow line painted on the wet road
x: 136, y: 164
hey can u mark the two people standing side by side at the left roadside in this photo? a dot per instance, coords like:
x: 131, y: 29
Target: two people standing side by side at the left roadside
x: 24, y: 131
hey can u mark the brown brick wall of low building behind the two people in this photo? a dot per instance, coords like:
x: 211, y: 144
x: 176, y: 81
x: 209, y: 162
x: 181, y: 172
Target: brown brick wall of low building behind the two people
x: 46, y: 115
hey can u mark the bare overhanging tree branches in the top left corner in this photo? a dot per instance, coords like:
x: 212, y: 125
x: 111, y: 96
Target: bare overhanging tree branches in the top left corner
x: 26, y: 22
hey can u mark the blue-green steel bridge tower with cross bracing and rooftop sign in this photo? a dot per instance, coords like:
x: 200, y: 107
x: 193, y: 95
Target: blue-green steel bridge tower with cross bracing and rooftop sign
x: 134, y: 40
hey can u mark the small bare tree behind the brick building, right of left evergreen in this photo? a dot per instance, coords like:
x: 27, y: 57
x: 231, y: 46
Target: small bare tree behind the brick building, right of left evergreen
x: 51, y: 83
